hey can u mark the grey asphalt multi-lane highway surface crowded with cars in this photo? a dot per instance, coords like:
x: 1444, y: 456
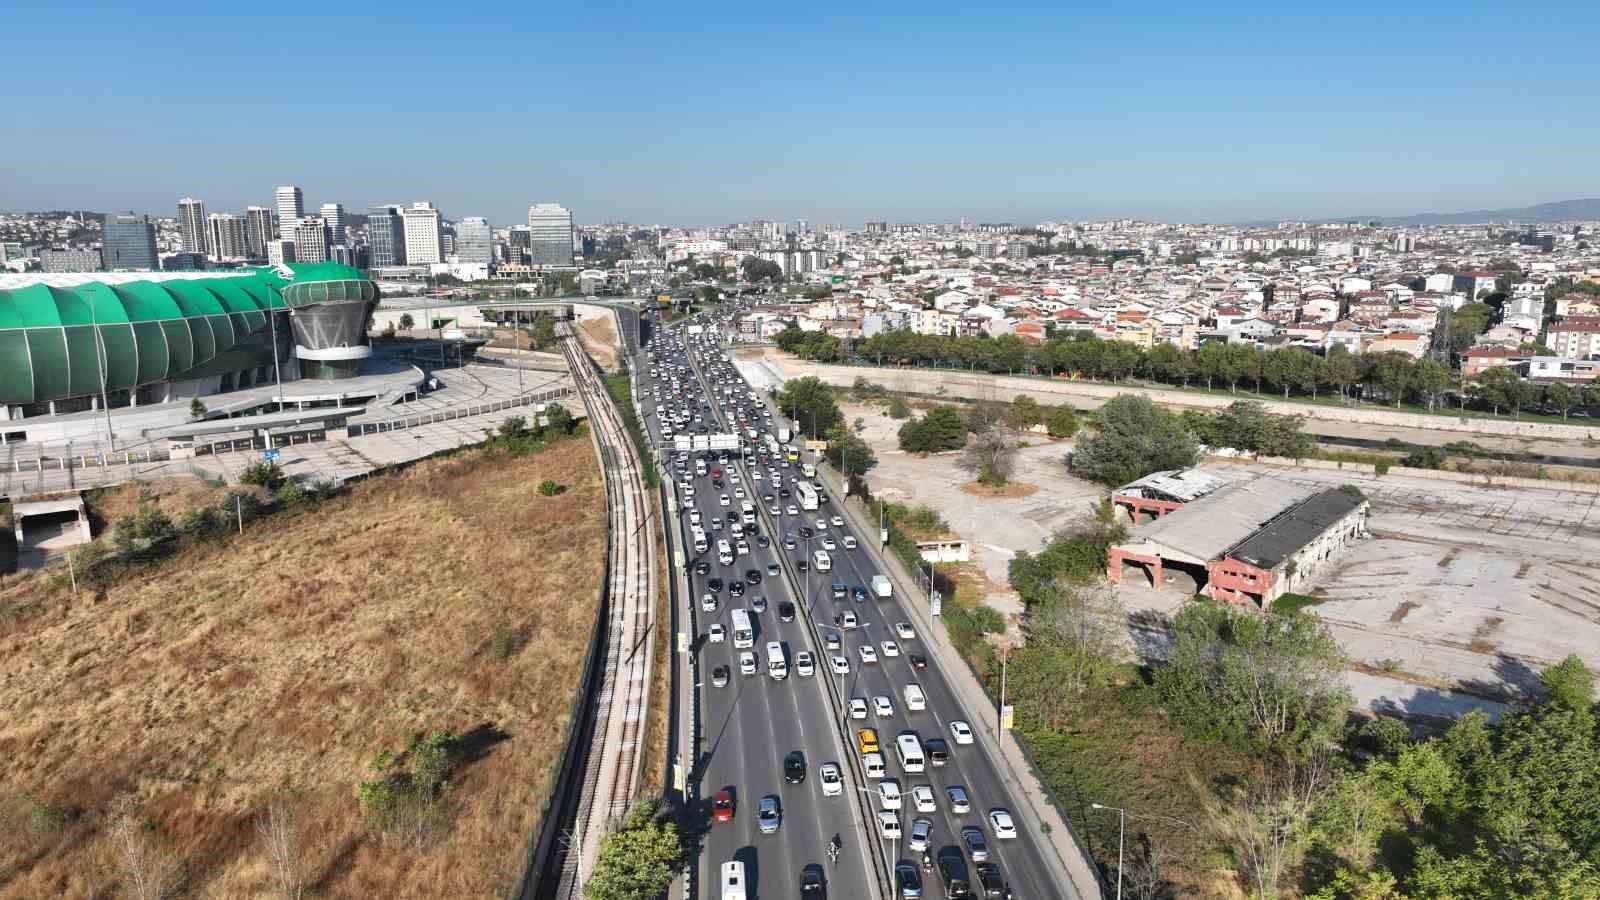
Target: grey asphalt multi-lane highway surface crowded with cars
x: 753, y: 723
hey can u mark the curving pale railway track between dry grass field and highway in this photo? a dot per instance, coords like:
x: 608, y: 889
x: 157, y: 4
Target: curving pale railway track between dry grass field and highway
x: 612, y: 769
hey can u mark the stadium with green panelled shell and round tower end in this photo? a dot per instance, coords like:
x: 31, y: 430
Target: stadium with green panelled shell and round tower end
x: 71, y: 344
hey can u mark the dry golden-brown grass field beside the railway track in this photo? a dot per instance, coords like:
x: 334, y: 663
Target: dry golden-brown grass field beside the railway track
x: 146, y: 731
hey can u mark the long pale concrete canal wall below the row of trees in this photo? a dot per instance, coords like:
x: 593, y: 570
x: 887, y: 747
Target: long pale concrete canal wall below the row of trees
x: 1086, y: 395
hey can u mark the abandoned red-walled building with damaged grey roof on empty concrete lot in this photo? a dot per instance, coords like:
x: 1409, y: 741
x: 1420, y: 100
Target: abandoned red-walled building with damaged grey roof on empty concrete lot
x: 1249, y: 542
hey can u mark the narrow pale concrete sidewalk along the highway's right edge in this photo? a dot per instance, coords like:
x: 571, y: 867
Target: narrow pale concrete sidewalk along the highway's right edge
x: 1070, y: 859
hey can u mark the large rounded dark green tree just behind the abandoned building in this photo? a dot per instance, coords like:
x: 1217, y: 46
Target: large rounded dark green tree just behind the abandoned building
x: 1135, y: 438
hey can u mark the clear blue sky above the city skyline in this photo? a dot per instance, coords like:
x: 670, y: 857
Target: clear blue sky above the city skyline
x: 834, y: 113
